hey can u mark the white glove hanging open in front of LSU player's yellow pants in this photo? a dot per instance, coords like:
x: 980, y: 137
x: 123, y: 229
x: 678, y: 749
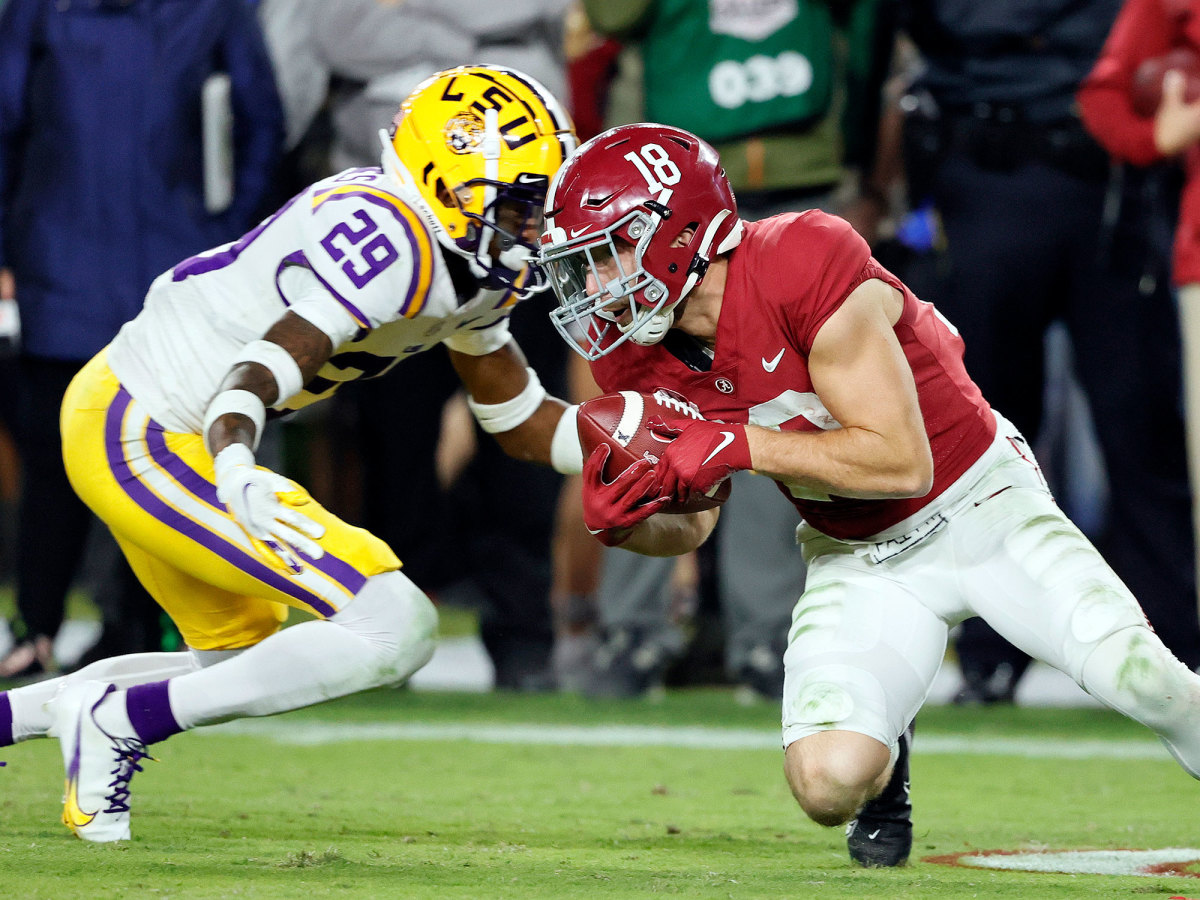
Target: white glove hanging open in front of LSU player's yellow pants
x: 251, y: 495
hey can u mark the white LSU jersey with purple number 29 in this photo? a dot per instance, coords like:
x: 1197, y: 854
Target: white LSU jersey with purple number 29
x: 350, y: 255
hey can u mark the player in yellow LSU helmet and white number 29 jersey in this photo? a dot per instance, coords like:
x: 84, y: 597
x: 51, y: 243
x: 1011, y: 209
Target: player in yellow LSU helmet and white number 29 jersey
x: 160, y: 430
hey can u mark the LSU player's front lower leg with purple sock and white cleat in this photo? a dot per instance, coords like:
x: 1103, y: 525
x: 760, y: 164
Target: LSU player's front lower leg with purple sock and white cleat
x: 381, y: 638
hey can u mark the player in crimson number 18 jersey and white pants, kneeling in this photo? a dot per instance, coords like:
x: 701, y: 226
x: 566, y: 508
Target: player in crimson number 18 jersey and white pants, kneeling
x: 921, y: 506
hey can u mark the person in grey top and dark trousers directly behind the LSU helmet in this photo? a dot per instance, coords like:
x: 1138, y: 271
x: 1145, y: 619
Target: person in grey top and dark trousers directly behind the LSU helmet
x: 465, y: 543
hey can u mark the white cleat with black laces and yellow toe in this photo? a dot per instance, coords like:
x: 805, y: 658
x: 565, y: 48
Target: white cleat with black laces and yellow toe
x: 99, y: 765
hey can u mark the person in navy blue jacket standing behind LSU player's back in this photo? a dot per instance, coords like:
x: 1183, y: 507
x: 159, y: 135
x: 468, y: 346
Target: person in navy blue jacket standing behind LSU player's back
x: 104, y: 187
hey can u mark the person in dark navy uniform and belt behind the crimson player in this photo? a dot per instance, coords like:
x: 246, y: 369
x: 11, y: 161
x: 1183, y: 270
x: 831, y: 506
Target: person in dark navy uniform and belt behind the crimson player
x: 1039, y: 230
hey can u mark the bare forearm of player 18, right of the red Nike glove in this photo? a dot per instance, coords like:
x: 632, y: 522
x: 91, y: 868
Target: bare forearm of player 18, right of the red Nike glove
x: 847, y: 463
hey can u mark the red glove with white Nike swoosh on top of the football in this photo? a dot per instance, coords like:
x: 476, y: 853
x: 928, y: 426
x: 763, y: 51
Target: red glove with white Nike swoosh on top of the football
x: 700, y: 457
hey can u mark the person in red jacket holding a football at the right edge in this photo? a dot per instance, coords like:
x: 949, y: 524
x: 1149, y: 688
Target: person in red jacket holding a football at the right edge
x: 1149, y: 40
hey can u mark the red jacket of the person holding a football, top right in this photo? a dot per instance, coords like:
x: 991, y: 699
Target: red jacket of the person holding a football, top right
x: 1147, y: 29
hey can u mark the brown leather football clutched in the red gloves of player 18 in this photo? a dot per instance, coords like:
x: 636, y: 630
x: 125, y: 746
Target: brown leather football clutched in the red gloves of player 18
x: 620, y: 421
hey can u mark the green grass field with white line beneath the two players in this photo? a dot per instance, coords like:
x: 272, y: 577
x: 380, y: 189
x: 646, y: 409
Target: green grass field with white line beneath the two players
x: 423, y: 795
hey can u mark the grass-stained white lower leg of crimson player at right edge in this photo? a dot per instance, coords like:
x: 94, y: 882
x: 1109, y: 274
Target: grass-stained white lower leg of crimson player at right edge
x: 1133, y: 673
